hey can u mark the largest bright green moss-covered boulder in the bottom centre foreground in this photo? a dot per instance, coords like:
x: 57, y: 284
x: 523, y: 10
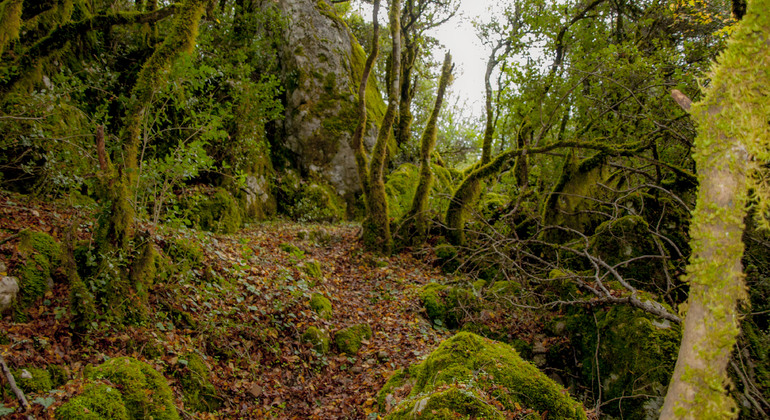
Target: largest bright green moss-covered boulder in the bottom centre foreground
x: 469, y: 376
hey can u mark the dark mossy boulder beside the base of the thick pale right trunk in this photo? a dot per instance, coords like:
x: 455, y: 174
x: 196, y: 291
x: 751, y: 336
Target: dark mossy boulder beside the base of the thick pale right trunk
x: 636, y: 357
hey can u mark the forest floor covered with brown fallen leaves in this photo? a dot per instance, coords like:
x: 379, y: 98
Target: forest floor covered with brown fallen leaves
x: 243, y: 307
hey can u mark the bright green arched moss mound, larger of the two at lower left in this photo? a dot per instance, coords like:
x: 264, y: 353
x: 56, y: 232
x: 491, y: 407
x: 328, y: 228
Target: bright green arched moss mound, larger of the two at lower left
x: 145, y: 392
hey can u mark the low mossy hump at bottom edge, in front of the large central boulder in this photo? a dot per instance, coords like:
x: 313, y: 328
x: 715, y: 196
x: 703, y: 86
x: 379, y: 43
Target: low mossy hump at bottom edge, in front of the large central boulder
x: 448, y: 404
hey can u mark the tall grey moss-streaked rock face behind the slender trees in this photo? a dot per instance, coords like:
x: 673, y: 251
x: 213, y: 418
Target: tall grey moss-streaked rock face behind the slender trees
x: 322, y: 64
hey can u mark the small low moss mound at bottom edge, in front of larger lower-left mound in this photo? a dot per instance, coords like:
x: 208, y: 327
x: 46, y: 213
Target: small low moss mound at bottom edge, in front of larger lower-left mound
x: 97, y: 402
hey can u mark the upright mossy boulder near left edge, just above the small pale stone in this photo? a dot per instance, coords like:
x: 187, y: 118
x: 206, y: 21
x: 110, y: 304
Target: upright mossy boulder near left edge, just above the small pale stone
x: 42, y: 255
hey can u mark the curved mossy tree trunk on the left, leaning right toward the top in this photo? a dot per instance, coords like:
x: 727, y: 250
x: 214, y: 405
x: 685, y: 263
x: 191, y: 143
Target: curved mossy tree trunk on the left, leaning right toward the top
x: 126, y: 292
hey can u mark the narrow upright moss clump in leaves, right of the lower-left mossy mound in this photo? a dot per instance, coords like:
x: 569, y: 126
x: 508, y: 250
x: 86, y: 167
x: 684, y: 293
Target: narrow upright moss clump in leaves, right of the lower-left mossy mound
x: 199, y: 394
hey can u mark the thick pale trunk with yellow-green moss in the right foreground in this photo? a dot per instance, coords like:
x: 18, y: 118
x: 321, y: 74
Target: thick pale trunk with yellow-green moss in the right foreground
x: 732, y: 120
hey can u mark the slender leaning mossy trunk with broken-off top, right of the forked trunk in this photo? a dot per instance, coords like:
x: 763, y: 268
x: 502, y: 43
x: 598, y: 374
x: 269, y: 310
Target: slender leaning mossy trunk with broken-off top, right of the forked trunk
x: 418, y: 211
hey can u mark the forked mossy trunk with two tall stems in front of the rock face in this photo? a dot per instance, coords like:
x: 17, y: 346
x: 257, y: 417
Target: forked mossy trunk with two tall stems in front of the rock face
x: 376, y: 226
